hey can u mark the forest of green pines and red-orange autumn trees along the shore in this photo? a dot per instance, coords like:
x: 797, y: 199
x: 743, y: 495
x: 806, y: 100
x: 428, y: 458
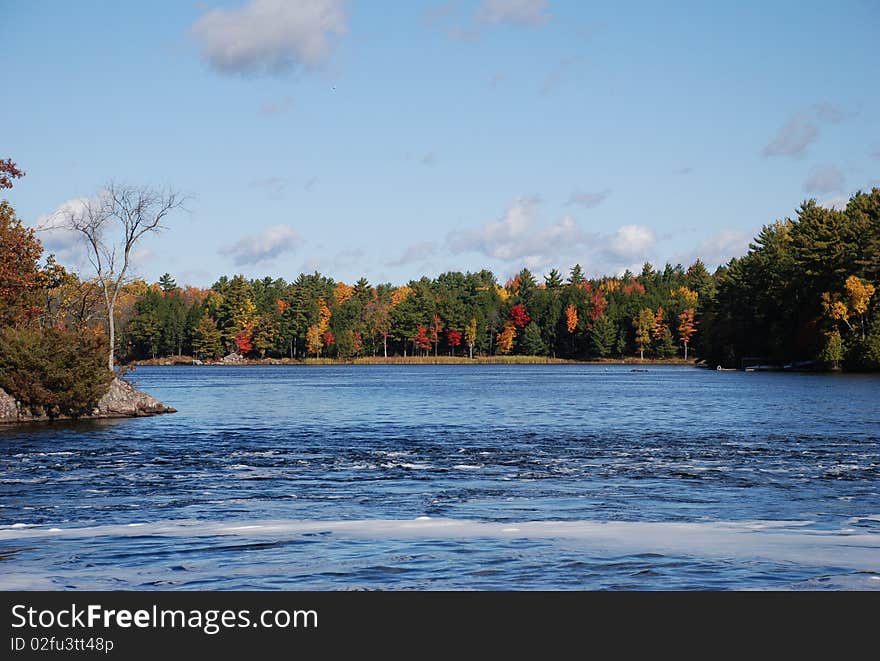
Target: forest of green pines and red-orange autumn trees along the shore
x: 803, y: 295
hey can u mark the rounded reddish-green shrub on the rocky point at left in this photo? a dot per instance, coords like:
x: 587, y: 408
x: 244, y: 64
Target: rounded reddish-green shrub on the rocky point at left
x: 61, y: 372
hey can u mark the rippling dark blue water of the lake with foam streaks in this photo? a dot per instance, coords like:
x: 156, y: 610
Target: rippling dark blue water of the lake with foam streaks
x: 448, y: 477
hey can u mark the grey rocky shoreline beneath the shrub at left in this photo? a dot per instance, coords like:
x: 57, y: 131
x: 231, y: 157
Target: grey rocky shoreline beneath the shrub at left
x: 122, y: 400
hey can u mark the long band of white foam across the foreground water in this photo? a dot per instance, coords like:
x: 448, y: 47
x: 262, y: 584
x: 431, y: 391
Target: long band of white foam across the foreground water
x: 779, y: 541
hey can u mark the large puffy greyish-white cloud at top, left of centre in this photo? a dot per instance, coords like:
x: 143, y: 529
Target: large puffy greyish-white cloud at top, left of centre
x: 270, y: 35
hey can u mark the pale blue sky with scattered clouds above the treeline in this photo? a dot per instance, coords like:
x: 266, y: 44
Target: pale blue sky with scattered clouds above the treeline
x: 394, y: 139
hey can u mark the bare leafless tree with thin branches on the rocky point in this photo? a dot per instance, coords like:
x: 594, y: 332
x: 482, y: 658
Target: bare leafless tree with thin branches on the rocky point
x: 111, y: 224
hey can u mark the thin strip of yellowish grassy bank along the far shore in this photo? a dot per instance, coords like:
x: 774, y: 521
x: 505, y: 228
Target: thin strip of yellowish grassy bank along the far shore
x: 416, y: 360
